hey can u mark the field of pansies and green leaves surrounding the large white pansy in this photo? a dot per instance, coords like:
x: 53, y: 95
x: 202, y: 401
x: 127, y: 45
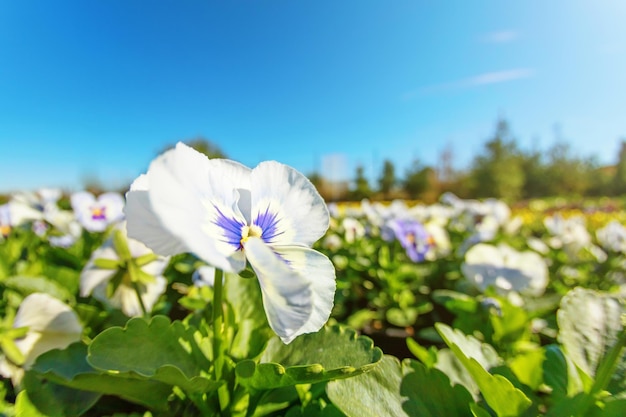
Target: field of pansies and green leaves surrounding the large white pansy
x: 479, y: 309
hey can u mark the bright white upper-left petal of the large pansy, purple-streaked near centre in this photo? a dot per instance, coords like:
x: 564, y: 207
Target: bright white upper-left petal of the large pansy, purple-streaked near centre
x: 183, y: 203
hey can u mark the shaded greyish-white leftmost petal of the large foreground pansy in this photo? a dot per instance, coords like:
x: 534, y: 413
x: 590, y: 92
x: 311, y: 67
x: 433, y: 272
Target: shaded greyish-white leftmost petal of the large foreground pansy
x: 145, y: 225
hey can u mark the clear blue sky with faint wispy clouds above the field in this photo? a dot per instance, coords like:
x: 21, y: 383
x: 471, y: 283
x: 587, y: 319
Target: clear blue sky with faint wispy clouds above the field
x: 95, y: 89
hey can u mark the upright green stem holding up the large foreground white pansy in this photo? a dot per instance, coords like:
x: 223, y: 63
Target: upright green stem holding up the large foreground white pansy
x: 218, y: 337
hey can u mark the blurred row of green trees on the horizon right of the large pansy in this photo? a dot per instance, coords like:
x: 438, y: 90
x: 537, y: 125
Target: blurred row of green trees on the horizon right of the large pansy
x: 501, y: 170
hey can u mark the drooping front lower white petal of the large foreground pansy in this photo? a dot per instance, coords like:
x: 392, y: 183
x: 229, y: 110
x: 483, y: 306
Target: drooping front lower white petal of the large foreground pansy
x: 287, y: 296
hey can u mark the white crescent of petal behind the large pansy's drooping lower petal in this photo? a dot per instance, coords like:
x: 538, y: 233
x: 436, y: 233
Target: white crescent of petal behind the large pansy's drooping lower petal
x: 319, y: 271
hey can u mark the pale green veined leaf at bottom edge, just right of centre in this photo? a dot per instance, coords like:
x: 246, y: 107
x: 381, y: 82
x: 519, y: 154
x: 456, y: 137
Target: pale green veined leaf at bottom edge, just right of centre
x: 375, y: 393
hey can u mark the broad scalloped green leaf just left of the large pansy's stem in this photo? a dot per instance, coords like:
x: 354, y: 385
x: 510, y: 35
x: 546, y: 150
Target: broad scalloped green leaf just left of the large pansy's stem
x: 156, y: 350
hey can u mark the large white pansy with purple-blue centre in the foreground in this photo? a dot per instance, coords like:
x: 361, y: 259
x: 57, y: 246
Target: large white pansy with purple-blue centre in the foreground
x: 227, y: 215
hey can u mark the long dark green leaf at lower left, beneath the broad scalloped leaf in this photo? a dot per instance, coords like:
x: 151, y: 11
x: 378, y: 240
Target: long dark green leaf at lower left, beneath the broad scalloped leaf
x: 69, y: 367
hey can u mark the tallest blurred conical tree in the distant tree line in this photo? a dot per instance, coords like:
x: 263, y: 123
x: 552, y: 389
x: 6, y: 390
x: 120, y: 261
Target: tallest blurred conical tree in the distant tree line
x: 499, y: 171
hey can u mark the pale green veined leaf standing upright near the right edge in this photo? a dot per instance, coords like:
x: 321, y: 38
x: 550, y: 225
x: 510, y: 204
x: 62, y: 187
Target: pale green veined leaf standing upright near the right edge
x: 589, y: 323
